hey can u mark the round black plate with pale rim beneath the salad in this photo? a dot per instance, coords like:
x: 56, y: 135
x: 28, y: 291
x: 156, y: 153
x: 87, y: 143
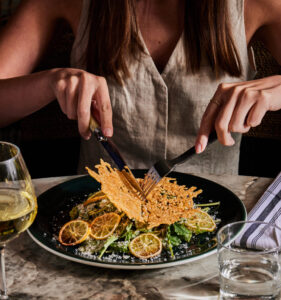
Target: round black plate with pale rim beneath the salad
x: 55, y: 204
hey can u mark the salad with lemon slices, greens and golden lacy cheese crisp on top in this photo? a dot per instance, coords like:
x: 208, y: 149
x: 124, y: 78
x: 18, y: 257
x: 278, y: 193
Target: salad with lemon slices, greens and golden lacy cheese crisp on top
x: 116, y: 220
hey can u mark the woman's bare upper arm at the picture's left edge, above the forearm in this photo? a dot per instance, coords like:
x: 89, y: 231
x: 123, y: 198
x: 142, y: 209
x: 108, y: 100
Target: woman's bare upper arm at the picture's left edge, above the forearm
x: 26, y: 36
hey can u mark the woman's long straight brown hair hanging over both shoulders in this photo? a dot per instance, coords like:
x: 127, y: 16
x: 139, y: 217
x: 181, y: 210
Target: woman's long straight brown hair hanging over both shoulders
x: 113, y: 38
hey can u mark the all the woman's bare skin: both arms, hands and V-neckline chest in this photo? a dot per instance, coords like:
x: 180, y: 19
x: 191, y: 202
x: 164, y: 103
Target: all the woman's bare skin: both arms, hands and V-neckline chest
x: 23, y: 40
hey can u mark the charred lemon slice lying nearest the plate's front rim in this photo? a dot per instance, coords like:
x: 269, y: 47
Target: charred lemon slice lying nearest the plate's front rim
x: 145, y: 246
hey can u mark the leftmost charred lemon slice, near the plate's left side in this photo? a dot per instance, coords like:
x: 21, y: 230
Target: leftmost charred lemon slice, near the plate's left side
x: 74, y: 232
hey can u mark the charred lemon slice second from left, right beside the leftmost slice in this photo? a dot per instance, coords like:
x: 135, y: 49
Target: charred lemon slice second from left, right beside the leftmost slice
x: 103, y: 226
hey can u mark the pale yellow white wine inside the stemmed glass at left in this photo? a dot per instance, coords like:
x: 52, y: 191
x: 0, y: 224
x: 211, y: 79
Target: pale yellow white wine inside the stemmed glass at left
x: 17, y: 212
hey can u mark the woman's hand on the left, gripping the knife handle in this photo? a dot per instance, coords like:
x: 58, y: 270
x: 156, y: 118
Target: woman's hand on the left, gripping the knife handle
x: 81, y: 94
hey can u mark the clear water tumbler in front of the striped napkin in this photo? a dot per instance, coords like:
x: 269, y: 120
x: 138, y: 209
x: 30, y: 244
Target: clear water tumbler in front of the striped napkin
x: 248, y: 272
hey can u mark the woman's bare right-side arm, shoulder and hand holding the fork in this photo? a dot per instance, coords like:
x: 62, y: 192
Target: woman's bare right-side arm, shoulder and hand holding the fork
x: 236, y: 107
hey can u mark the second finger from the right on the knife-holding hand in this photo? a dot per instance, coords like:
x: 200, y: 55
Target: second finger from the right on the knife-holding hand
x: 86, y: 91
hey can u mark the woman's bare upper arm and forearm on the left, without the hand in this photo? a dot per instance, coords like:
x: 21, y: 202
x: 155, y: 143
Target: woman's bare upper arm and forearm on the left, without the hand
x: 22, y: 42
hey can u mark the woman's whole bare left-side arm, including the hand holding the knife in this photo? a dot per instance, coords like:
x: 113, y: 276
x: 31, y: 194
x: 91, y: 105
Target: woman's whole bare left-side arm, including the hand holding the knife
x: 22, y: 43
